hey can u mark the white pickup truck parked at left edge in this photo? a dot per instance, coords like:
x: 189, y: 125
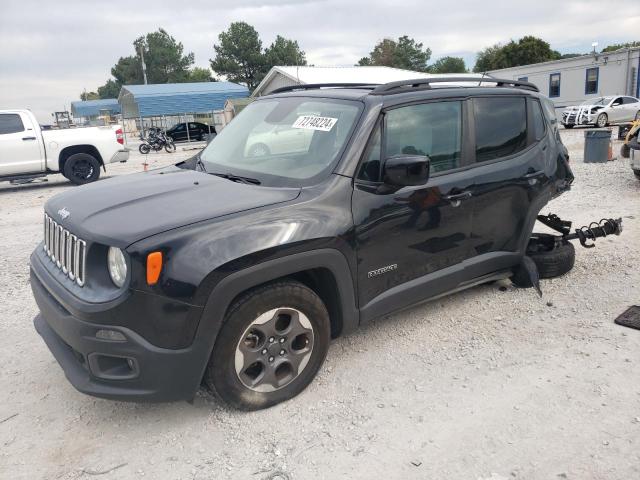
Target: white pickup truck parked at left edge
x: 27, y: 151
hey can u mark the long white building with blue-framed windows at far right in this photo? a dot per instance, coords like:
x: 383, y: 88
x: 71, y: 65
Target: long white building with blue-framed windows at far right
x: 571, y: 81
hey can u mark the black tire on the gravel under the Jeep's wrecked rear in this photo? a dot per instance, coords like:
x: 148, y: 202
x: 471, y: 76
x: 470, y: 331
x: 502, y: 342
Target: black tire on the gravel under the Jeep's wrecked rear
x: 553, y: 258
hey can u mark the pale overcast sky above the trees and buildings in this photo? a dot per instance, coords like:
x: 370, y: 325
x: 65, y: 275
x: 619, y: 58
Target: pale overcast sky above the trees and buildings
x: 52, y: 50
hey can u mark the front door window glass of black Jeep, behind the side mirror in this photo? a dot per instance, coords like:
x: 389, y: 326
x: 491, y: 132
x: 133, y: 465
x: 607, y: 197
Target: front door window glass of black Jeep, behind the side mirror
x: 433, y: 129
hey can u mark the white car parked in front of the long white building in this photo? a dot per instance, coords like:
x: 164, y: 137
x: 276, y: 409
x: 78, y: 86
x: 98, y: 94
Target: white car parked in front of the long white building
x: 602, y: 112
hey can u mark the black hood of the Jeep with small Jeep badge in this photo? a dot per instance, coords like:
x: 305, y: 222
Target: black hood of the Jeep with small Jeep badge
x: 123, y: 210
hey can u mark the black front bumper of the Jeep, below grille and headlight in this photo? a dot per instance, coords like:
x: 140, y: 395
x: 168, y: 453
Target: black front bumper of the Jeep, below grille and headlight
x: 129, y: 368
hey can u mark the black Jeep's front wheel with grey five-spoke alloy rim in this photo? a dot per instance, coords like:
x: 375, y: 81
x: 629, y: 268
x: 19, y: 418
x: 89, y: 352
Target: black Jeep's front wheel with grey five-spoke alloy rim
x: 272, y: 344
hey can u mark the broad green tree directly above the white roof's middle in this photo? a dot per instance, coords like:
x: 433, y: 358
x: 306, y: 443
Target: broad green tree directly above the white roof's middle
x: 404, y: 53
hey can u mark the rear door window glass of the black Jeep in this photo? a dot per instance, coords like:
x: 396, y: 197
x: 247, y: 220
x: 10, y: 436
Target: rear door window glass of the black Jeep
x: 501, y: 127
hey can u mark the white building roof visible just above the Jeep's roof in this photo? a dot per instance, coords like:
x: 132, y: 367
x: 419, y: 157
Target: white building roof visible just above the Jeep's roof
x: 307, y: 74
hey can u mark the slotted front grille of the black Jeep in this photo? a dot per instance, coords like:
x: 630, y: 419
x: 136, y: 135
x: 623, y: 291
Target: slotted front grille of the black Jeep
x: 67, y: 251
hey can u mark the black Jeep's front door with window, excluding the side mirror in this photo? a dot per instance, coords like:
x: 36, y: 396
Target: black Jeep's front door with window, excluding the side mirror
x: 411, y: 240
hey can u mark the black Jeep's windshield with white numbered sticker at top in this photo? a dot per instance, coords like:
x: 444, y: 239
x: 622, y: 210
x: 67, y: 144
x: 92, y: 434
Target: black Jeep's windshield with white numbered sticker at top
x: 288, y: 141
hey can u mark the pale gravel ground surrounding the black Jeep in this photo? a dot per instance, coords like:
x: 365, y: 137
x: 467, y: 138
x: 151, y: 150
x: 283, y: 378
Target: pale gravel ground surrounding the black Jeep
x: 491, y: 383
